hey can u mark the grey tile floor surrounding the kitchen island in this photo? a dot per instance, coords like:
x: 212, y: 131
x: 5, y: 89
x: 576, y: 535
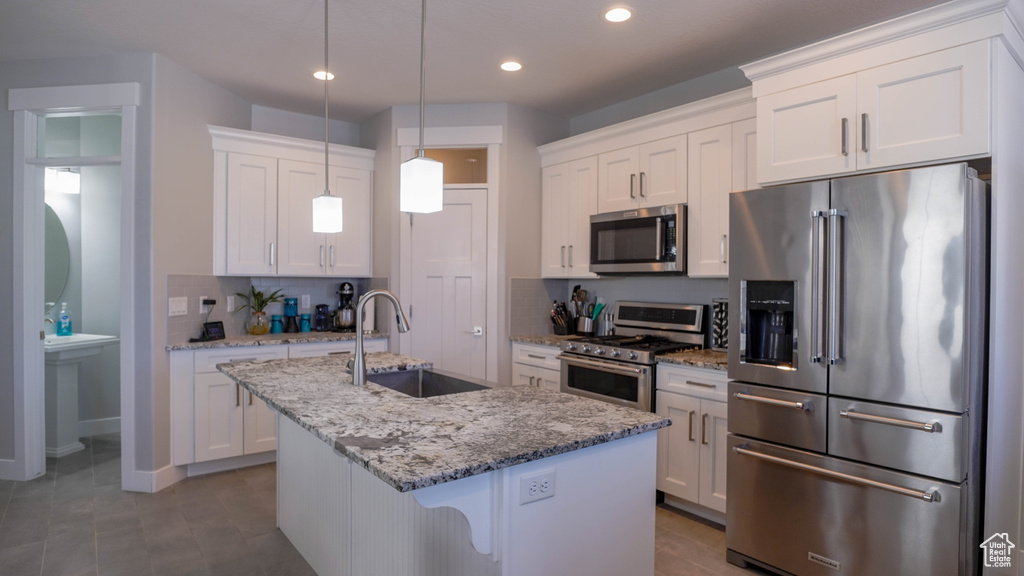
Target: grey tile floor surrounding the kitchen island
x: 75, y: 521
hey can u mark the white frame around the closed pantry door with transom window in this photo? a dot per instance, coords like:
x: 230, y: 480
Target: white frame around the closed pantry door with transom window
x: 466, y: 137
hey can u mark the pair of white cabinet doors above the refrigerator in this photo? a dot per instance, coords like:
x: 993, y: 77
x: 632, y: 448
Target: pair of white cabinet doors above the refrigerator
x: 925, y: 109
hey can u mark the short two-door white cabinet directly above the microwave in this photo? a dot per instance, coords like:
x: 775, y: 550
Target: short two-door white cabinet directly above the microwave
x: 647, y: 176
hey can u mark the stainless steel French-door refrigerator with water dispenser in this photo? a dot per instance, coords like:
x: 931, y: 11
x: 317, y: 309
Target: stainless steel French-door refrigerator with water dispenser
x: 859, y: 307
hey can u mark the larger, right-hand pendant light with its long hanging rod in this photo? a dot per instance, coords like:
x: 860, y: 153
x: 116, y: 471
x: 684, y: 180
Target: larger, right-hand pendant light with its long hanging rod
x: 422, y: 187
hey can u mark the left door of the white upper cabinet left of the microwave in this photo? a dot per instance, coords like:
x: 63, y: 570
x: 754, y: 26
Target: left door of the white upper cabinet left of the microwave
x: 554, y: 208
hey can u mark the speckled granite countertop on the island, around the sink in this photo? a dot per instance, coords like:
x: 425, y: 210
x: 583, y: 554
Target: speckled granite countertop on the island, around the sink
x: 413, y: 443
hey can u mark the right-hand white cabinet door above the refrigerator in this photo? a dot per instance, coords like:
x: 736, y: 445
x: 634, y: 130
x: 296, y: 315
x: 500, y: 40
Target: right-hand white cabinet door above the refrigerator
x: 929, y: 108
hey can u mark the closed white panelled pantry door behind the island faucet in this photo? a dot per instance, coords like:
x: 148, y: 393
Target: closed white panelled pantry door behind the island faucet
x: 449, y: 284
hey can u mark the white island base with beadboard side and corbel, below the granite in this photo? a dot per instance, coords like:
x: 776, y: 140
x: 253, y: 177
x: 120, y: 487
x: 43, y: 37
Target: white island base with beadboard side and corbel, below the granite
x: 347, y: 522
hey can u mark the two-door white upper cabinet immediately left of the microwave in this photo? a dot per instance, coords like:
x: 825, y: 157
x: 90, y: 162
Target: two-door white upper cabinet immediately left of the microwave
x: 570, y: 198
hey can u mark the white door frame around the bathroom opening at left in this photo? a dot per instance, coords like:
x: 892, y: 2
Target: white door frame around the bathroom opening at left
x: 28, y: 105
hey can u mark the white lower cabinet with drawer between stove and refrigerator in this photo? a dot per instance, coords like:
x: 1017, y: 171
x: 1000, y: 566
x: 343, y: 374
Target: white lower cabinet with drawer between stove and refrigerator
x: 692, y: 454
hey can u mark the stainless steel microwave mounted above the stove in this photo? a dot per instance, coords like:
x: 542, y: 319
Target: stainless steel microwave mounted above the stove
x: 642, y: 241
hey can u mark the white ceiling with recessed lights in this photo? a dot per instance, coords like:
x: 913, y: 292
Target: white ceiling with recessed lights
x: 574, y: 62
